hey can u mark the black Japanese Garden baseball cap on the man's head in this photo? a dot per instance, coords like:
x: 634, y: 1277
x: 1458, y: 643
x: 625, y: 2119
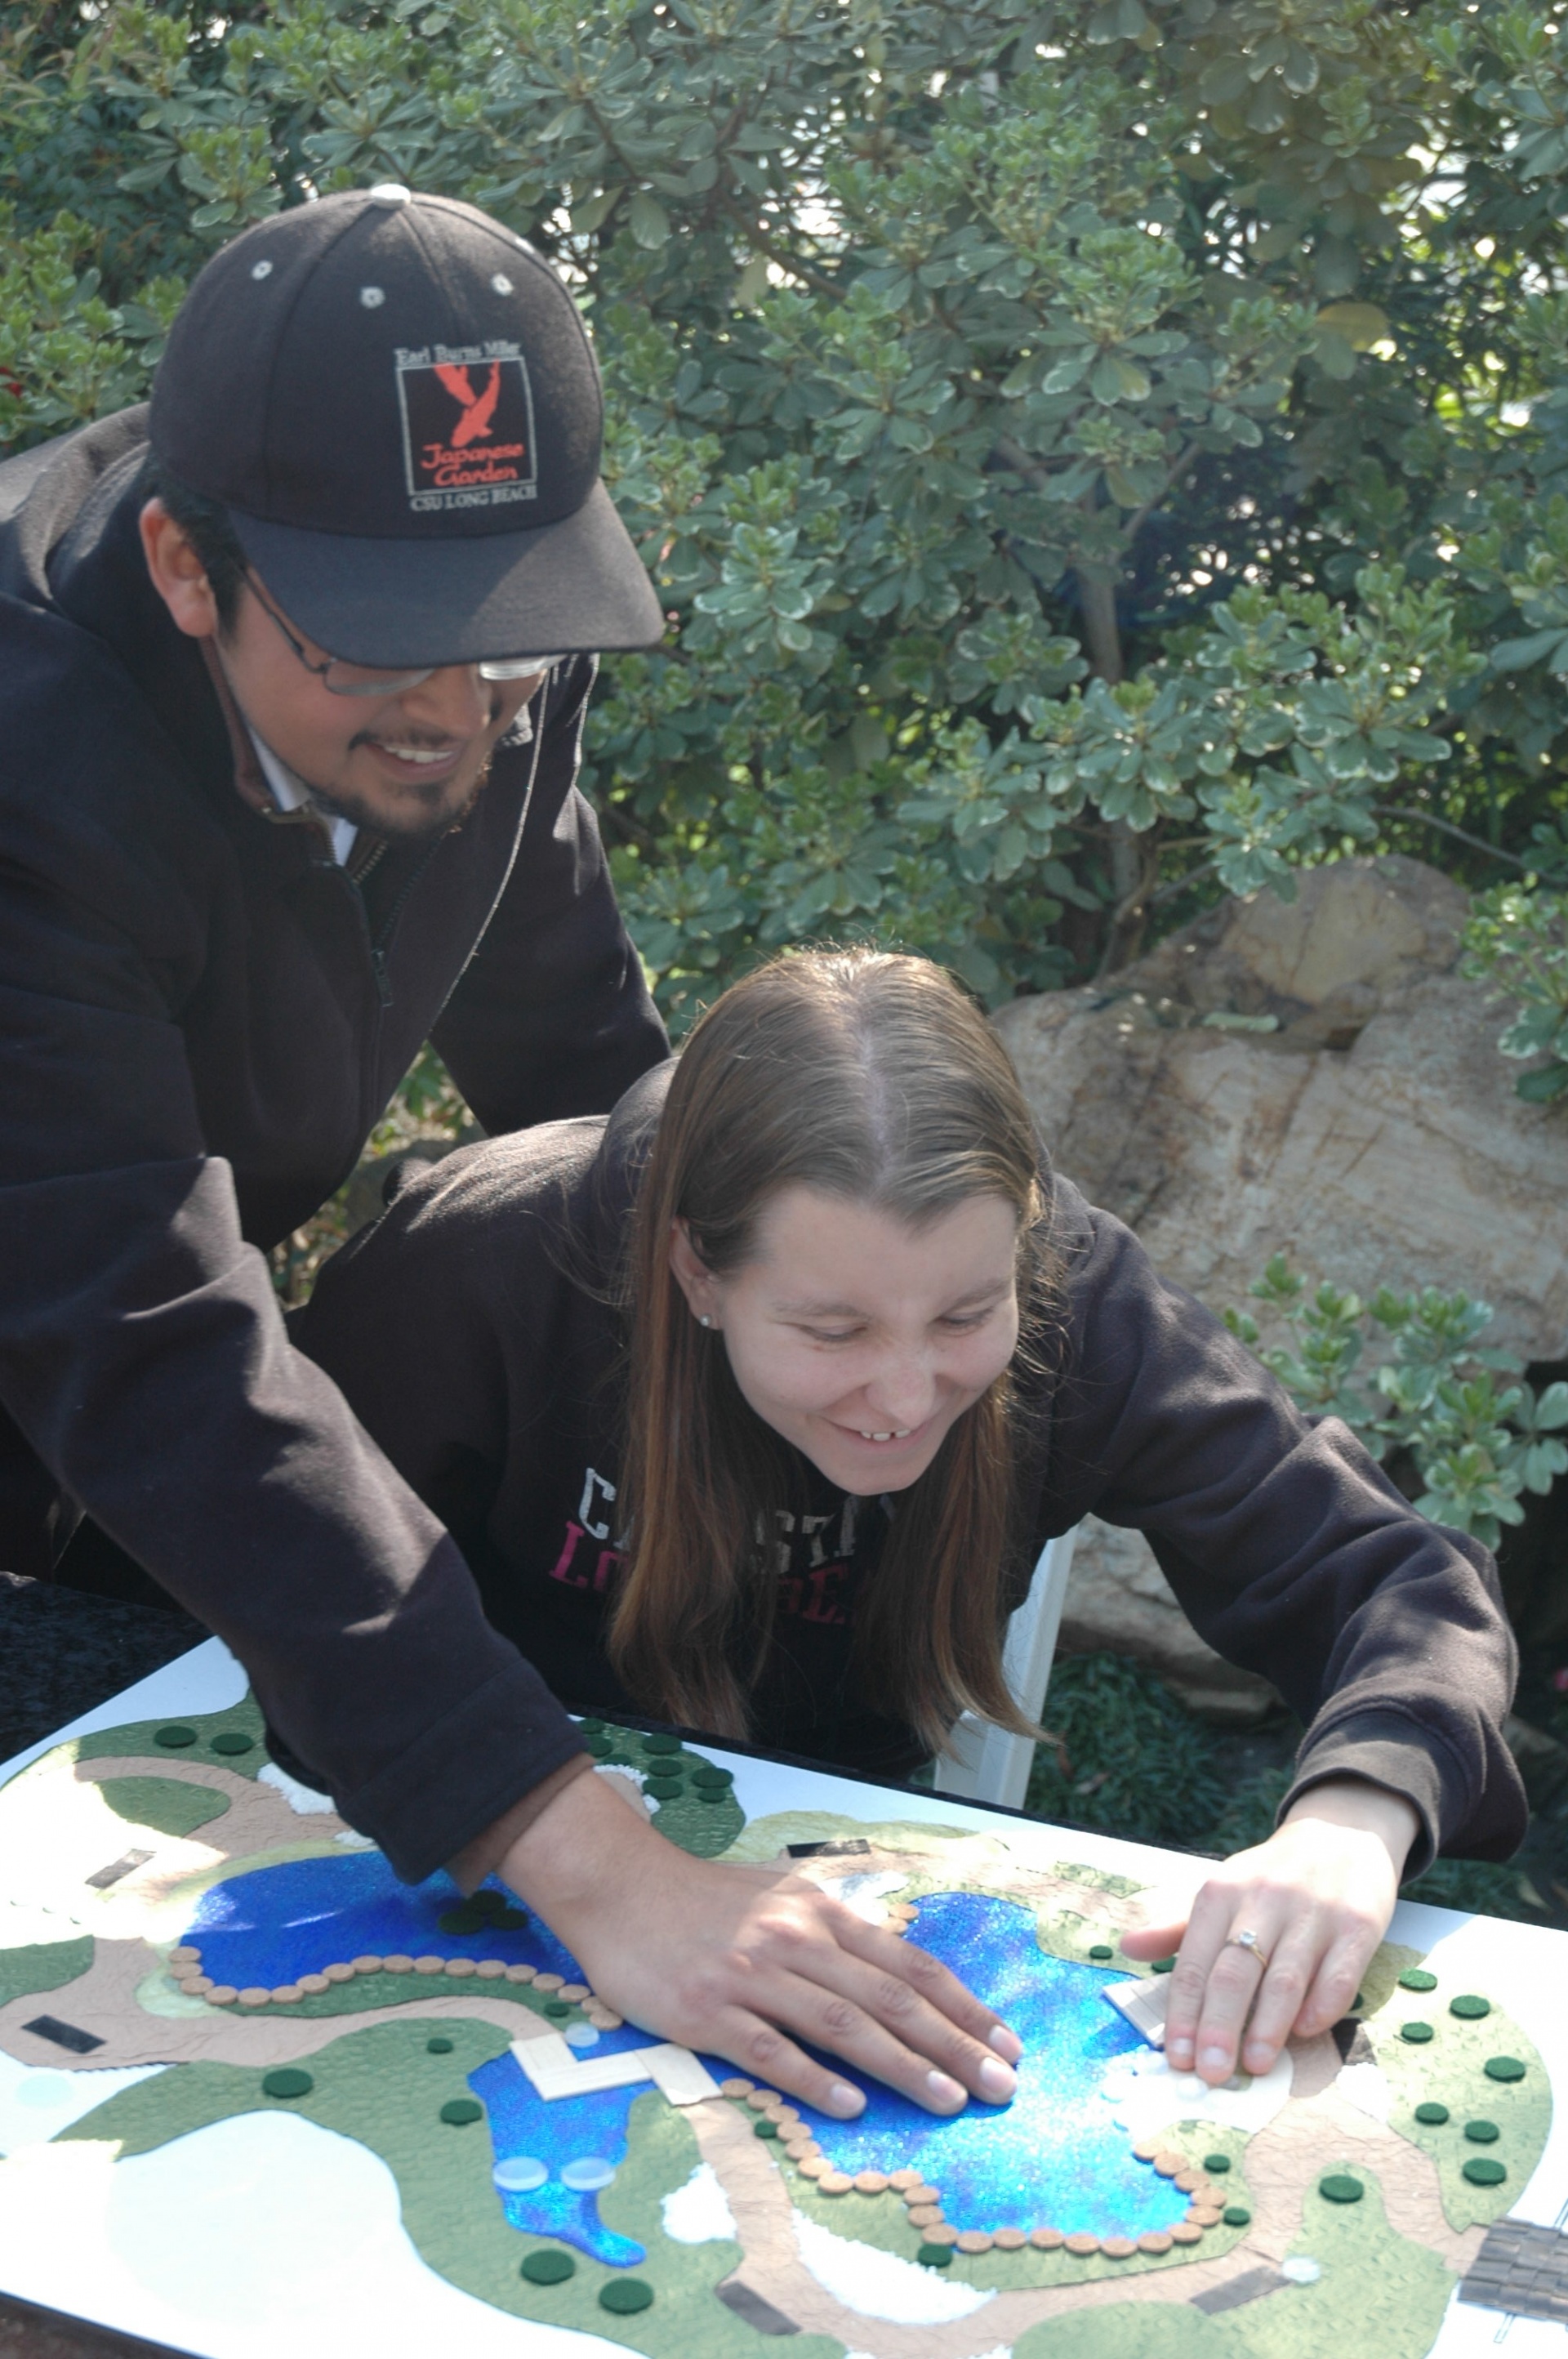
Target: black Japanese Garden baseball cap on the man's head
x: 400, y: 407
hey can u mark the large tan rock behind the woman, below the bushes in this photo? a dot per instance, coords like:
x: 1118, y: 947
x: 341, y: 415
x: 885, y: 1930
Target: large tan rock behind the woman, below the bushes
x: 1373, y: 1133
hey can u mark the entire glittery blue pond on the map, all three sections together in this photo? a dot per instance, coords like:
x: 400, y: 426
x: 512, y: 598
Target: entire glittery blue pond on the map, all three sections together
x: 1053, y: 2157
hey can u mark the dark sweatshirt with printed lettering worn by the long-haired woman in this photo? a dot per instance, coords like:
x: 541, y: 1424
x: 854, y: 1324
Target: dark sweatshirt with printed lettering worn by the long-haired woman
x: 475, y: 1334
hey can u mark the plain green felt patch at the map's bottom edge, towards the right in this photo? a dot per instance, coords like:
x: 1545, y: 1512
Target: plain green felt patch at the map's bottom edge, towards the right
x: 1378, y: 2294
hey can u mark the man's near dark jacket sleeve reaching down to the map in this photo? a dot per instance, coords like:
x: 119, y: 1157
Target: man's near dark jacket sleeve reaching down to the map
x: 145, y: 1358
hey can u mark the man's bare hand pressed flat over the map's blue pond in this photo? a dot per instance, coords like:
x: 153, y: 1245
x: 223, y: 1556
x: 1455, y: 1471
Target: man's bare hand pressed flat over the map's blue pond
x: 749, y: 1962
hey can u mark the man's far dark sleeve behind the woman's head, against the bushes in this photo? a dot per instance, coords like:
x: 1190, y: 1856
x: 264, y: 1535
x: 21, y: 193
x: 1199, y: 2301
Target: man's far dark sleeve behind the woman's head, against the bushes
x: 553, y: 1016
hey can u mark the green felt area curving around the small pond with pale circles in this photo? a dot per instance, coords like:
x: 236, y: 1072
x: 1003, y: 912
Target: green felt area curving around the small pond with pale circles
x: 386, y: 2089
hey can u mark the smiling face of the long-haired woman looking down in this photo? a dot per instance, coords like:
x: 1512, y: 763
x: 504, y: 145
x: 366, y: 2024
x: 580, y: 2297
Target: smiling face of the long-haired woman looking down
x: 859, y: 1339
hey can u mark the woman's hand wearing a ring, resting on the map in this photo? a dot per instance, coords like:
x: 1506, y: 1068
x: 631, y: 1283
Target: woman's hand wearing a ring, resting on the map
x: 1319, y: 1898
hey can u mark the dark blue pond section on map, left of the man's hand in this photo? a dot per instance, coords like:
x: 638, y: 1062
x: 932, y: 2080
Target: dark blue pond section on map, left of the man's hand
x: 305, y: 1914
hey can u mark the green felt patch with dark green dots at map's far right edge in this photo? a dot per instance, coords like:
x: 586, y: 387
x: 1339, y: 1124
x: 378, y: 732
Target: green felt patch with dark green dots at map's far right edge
x: 1451, y: 2070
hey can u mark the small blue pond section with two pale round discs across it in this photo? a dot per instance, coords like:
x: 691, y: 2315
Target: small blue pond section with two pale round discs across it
x: 560, y: 2131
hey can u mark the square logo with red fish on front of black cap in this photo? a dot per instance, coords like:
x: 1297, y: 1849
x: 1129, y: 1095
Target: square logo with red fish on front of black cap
x: 468, y: 426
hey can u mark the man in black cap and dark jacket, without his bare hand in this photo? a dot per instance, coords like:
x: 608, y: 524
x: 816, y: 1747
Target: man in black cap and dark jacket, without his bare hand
x: 291, y: 685
